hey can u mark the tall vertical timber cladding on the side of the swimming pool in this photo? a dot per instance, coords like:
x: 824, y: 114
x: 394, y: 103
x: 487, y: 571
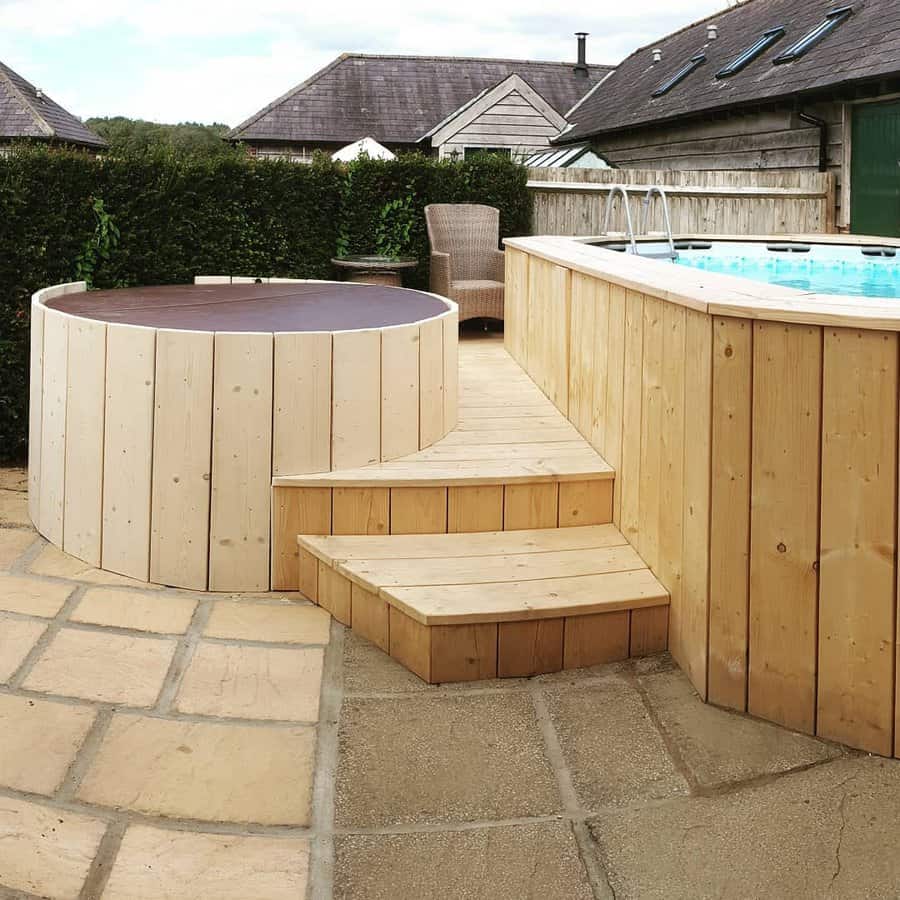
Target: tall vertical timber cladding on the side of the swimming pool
x: 756, y: 474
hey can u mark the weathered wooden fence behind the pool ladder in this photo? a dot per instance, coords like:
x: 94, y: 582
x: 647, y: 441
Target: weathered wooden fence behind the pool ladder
x: 572, y: 201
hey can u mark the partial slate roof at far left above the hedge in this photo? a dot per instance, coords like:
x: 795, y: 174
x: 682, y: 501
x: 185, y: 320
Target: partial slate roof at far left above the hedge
x: 24, y: 114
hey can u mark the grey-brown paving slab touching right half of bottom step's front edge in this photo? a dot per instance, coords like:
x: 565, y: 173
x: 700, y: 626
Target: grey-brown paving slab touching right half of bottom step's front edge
x: 614, y: 751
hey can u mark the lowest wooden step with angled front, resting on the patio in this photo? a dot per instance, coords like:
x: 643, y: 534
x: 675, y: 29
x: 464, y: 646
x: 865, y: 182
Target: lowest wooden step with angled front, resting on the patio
x: 456, y: 607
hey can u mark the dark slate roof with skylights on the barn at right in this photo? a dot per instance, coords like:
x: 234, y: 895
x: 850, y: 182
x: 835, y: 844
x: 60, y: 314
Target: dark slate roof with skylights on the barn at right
x: 866, y: 46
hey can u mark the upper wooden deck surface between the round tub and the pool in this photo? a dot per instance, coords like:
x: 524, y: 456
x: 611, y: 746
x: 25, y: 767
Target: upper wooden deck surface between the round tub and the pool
x: 508, y: 431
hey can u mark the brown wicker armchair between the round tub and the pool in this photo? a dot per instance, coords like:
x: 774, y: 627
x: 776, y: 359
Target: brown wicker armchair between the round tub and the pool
x: 466, y: 265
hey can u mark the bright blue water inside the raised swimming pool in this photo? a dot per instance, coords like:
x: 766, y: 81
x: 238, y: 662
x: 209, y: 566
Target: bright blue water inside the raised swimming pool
x: 821, y: 269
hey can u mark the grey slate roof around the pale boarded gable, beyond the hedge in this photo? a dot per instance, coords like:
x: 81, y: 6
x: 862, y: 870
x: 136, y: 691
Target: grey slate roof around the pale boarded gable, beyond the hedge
x: 398, y: 99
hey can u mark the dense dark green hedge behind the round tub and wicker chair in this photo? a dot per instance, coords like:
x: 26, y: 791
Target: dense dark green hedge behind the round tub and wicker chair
x: 183, y: 216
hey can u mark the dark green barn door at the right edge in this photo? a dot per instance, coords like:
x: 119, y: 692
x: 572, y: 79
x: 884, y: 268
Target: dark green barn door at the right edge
x: 875, y: 170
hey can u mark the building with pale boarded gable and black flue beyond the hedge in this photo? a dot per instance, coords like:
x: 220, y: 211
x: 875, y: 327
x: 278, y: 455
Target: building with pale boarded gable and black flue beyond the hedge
x: 447, y: 106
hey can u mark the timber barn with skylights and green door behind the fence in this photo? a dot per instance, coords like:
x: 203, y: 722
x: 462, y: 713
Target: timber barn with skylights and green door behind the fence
x: 788, y: 85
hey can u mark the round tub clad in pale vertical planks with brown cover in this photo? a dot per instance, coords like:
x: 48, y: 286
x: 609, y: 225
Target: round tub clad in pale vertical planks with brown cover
x: 153, y: 446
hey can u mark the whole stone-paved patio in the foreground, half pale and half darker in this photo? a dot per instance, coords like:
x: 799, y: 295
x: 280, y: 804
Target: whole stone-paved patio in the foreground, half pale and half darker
x: 157, y: 743
